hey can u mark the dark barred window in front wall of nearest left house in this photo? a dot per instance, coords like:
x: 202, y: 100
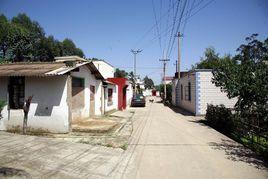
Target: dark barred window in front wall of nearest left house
x: 16, y: 92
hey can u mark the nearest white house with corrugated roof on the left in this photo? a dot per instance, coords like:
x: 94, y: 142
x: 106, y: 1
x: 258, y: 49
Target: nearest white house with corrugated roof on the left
x: 70, y: 88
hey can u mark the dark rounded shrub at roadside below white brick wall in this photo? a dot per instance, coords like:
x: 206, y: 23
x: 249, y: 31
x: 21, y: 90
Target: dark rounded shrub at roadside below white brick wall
x: 220, y: 118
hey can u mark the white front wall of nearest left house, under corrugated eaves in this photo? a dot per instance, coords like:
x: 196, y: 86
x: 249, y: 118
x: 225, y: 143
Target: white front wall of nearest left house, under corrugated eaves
x: 48, y: 110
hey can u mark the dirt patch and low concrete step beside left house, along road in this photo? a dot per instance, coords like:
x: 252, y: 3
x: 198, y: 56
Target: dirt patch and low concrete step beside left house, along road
x: 110, y: 131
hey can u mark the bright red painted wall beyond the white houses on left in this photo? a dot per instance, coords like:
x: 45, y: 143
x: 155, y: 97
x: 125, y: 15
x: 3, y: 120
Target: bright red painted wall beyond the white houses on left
x: 122, y: 85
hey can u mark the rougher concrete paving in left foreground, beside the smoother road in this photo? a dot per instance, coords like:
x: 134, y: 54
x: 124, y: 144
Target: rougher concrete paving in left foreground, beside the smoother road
x: 39, y: 157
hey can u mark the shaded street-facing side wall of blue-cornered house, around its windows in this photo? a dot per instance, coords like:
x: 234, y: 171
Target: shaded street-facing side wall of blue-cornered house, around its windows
x: 183, y: 102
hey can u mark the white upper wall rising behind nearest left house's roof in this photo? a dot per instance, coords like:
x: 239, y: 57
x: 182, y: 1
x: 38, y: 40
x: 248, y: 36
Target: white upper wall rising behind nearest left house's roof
x: 106, y: 70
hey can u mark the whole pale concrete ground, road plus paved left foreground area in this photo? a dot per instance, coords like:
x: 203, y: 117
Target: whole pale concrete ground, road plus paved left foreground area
x: 164, y: 144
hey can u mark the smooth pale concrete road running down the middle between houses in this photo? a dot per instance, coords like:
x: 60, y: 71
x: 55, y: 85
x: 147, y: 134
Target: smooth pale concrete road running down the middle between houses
x: 166, y: 144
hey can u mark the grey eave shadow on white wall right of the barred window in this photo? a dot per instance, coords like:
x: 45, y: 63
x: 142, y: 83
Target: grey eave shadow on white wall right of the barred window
x: 48, y: 94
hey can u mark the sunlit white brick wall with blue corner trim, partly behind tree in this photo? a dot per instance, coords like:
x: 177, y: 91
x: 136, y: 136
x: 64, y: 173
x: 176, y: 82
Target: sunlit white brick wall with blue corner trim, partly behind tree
x: 208, y: 93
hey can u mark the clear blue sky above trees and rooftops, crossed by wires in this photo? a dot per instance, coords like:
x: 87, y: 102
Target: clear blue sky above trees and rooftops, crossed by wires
x: 109, y: 29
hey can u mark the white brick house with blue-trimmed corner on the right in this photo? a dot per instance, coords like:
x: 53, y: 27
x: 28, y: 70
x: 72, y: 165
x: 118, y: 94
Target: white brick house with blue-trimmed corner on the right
x: 195, y: 90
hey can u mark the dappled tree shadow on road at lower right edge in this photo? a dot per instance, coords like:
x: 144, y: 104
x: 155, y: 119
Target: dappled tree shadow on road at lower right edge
x: 237, y: 152
